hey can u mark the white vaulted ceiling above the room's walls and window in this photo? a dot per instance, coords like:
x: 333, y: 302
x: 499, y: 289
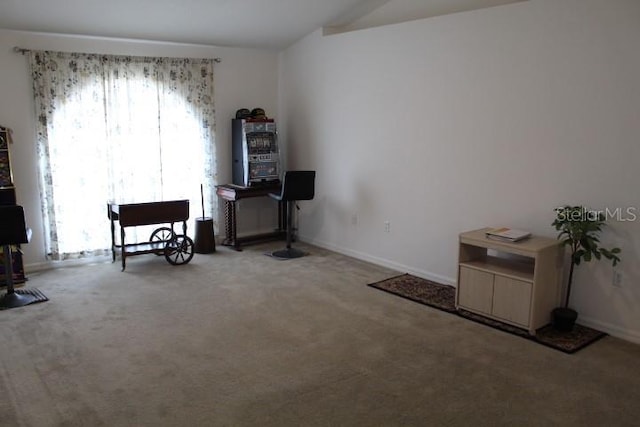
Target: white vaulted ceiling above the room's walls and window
x: 269, y: 24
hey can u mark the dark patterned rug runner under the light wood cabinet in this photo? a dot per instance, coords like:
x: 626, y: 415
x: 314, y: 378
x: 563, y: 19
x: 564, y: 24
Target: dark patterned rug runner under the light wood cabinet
x: 443, y: 297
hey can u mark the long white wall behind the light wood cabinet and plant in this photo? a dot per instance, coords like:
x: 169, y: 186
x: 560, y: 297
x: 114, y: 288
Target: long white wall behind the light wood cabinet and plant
x: 484, y: 118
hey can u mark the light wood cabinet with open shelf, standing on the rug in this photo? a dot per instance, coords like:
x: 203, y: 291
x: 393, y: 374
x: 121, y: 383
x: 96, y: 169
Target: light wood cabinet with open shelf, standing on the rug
x: 515, y: 283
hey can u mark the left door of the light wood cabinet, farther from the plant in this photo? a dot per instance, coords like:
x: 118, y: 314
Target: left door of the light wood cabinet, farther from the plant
x: 475, y: 290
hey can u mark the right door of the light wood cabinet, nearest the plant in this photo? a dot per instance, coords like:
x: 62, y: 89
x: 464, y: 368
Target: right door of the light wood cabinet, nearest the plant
x: 512, y: 300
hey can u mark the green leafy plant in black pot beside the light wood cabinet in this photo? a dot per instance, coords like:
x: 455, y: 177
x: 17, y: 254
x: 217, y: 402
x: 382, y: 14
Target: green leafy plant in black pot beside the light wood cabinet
x: 579, y: 230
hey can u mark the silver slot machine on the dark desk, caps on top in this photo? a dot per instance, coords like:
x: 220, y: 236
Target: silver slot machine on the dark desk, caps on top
x: 256, y: 158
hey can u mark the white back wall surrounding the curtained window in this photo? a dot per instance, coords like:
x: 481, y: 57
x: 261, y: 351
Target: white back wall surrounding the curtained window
x: 245, y: 78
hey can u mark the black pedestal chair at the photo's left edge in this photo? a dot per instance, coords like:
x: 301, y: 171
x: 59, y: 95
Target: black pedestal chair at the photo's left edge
x: 13, y: 231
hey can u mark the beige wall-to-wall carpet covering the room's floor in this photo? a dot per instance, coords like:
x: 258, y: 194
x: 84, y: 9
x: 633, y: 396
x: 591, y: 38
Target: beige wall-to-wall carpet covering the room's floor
x: 241, y: 339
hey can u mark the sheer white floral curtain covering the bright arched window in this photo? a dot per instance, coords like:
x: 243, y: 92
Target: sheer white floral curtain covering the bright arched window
x: 128, y: 129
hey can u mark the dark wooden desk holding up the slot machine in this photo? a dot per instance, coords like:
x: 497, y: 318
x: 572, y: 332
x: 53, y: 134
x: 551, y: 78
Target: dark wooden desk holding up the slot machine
x: 231, y: 193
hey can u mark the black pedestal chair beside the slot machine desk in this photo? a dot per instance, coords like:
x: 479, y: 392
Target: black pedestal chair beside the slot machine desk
x: 296, y: 185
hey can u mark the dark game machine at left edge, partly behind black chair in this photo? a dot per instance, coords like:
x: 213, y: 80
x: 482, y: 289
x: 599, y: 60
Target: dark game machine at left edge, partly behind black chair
x: 8, y: 198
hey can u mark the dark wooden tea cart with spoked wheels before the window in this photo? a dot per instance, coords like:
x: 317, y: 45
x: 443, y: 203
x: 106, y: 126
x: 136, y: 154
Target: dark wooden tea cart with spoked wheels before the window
x: 177, y: 248
